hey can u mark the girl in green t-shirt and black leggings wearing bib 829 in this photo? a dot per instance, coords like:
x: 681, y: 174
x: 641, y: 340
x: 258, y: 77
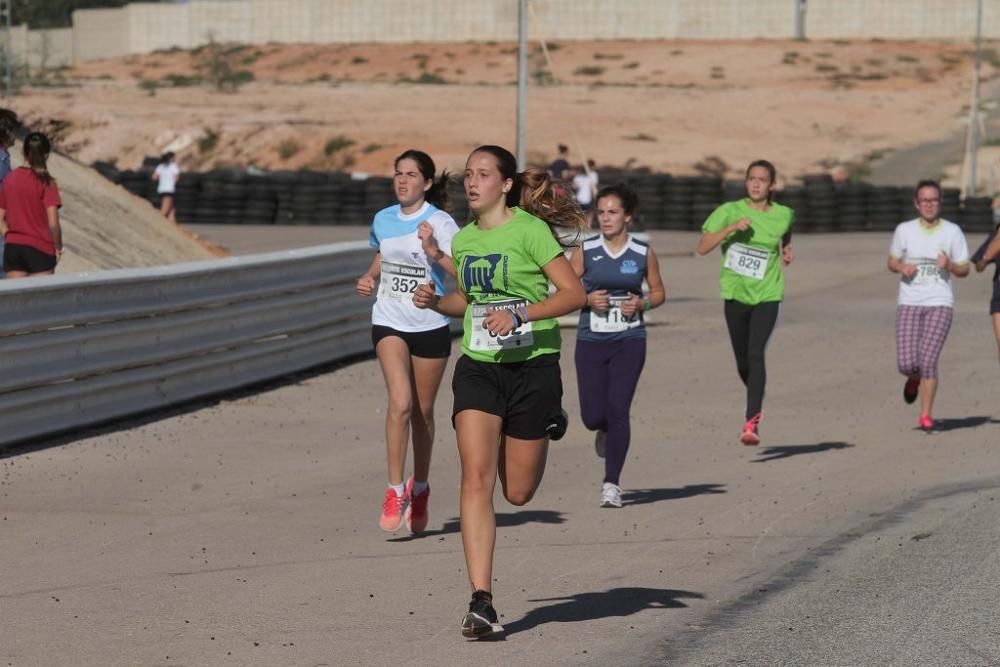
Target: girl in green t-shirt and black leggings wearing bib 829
x: 755, y: 235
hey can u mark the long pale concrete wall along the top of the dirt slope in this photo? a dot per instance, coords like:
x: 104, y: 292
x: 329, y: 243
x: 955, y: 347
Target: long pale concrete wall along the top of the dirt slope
x: 144, y: 27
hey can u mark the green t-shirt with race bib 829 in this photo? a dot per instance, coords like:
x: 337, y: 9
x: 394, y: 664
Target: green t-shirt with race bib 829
x: 751, y: 260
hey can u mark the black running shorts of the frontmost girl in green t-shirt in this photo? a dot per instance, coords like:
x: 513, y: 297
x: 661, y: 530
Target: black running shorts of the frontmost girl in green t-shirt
x: 526, y: 394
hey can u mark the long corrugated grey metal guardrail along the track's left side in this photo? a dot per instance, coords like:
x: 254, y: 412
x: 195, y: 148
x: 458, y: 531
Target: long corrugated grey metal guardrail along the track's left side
x: 77, y: 351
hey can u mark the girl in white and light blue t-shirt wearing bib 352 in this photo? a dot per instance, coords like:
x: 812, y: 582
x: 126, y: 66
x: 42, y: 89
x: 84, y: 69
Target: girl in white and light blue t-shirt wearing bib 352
x: 413, y: 247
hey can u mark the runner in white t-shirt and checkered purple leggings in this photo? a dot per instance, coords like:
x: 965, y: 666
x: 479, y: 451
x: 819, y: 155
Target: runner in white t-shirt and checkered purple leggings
x: 926, y: 251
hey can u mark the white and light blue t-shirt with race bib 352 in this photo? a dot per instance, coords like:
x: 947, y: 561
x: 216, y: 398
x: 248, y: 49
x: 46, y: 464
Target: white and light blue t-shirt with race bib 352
x: 405, y: 265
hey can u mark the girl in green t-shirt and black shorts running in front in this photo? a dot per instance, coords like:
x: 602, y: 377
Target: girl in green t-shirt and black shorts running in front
x: 507, y: 383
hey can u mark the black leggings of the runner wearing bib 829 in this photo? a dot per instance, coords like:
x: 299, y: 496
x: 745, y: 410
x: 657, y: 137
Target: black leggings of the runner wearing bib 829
x: 750, y: 328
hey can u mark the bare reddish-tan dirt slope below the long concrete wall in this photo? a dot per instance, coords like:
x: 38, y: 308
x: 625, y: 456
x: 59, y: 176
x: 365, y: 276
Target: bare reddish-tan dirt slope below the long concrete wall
x: 808, y: 106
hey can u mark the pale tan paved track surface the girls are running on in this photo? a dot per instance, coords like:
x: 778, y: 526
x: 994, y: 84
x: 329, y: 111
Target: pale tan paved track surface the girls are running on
x: 244, y: 532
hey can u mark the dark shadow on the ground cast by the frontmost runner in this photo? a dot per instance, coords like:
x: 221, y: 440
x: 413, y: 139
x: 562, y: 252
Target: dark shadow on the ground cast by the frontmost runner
x: 591, y: 606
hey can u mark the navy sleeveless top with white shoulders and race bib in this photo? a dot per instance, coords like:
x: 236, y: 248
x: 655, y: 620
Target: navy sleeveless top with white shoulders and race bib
x: 621, y: 274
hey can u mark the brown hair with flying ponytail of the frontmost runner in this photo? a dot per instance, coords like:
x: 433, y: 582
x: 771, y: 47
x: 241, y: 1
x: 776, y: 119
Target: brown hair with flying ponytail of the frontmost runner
x: 536, y: 192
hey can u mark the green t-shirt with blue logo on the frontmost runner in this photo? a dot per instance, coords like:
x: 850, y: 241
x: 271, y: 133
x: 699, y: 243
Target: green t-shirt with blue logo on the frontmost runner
x: 504, y: 264
